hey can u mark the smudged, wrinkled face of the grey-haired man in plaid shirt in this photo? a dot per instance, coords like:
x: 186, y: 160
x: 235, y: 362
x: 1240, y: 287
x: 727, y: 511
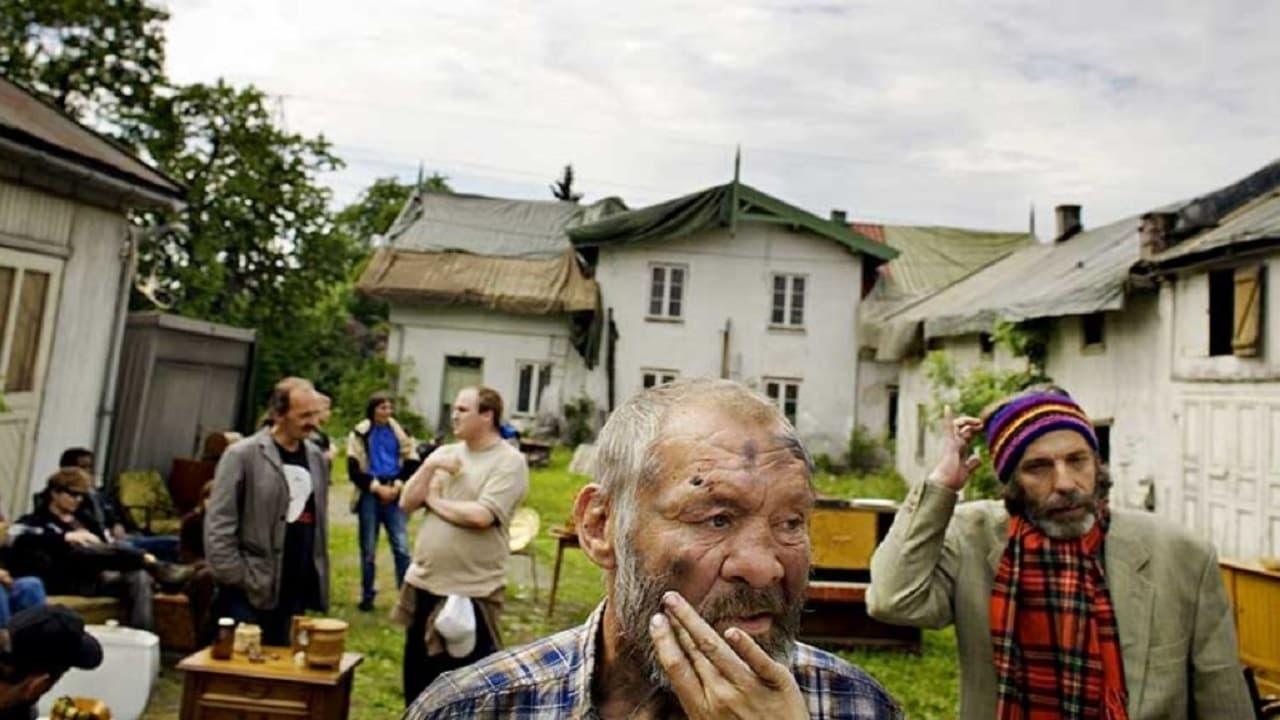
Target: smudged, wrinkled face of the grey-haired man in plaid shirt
x: 726, y: 525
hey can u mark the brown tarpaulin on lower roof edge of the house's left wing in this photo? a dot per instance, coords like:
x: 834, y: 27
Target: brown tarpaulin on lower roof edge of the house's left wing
x: 511, y: 285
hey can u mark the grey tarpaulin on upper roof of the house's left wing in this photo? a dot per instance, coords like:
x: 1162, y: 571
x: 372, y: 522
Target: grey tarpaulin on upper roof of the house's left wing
x: 437, y: 222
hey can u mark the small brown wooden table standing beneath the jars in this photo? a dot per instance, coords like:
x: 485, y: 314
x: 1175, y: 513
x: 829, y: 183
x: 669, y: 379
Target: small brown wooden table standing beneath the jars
x: 218, y: 690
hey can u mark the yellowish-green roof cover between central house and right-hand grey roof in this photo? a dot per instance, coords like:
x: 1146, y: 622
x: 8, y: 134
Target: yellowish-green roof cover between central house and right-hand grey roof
x: 931, y: 258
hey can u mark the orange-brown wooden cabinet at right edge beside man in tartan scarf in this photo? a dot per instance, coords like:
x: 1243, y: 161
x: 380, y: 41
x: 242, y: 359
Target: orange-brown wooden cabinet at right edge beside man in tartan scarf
x: 1255, y: 595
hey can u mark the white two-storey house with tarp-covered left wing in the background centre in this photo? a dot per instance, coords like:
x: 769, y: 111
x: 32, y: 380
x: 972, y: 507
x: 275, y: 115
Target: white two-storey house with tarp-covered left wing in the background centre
x: 726, y: 282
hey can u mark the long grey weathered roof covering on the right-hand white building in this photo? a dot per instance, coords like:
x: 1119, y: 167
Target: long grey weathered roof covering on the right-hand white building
x: 1086, y: 274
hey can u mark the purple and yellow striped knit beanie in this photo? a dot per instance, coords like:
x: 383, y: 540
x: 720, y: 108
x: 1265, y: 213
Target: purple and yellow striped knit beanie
x: 1018, y: 423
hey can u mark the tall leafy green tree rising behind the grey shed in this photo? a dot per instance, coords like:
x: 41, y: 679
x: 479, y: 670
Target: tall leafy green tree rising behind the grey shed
x: 262, y: 248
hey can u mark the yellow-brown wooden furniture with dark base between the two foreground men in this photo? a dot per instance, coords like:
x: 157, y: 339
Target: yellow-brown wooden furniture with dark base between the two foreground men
x: 843, y: 536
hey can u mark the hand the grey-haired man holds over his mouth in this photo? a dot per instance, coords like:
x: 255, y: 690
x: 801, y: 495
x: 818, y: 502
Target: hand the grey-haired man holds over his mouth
x: 716, y: 677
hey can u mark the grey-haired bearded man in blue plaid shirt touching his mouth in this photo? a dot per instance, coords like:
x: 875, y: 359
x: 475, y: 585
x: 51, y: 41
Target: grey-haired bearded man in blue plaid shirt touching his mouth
x: 700, y: 521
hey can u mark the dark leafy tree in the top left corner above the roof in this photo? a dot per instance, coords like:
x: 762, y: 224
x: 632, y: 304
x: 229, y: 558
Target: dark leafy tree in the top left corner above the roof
x: 99, y: 62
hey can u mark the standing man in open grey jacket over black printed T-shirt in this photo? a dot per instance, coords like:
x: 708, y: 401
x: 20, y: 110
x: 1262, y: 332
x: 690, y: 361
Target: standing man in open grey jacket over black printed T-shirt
x: 266, y: 531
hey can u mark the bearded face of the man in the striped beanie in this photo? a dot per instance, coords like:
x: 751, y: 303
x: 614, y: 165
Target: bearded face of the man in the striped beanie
x: 1058, y: 480
